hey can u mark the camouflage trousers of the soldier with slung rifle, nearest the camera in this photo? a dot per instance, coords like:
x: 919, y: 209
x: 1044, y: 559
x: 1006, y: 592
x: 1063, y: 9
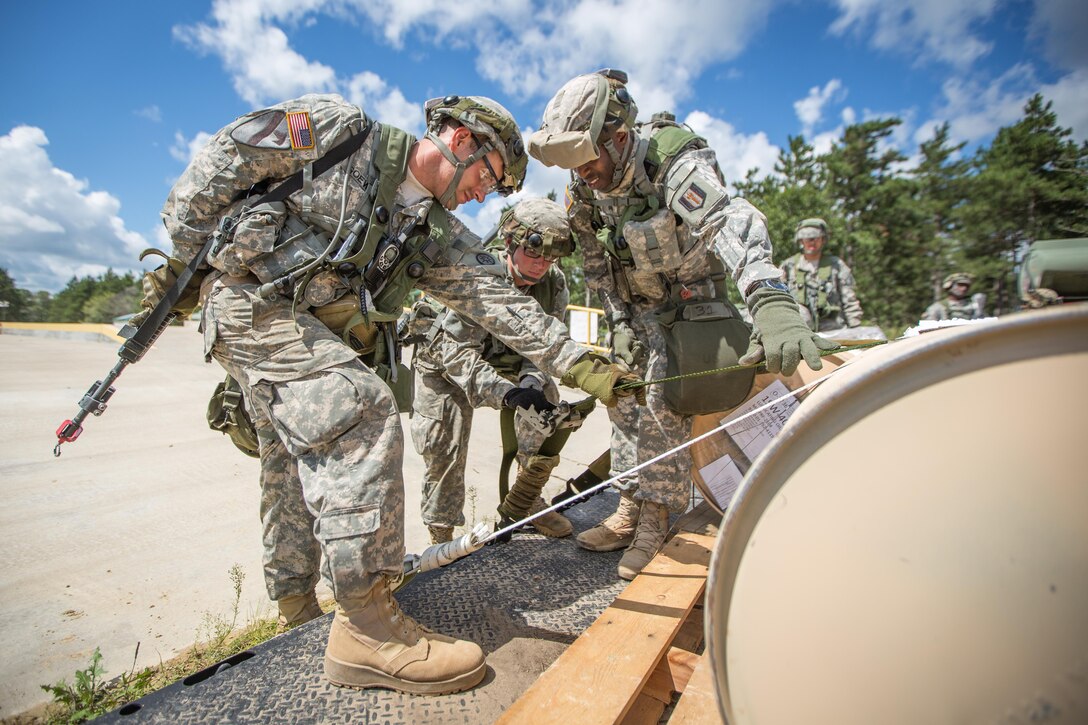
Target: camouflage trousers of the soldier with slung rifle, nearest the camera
x: 331, y: 445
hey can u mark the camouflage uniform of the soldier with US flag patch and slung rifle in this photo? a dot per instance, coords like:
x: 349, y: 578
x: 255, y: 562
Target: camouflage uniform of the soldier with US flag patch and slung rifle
x: 330, y: 433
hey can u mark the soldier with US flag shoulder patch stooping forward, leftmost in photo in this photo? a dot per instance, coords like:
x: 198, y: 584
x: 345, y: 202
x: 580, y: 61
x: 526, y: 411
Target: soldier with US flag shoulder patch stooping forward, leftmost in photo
x: 301, y: 290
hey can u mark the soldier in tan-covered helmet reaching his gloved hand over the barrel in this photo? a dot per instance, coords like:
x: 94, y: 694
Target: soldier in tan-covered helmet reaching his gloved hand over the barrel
x: 661, y: 236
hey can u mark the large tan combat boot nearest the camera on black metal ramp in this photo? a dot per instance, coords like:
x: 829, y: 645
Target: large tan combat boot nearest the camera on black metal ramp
x: 374, y: 644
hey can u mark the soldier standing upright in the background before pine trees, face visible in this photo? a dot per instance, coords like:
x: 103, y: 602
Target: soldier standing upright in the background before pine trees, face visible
x: 823, y: 285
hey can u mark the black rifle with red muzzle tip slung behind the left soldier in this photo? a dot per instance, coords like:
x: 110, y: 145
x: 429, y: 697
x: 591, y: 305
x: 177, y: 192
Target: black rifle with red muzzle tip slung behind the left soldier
x: 139, y: 340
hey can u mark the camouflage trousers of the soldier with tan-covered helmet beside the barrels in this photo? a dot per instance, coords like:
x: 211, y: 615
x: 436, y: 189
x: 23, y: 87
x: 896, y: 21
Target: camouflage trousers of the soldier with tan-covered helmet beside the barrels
x: 642, y: 433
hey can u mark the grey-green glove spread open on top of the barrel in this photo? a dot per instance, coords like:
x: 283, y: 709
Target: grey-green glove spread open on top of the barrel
x: 781, y: 336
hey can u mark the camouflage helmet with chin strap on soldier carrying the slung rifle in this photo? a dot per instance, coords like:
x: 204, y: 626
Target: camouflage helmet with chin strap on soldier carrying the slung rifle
x: 493, y: 128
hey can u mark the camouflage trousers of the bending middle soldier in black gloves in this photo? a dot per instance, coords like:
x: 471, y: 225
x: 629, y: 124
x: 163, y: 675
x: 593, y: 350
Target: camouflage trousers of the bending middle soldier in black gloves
x: 441, y: 425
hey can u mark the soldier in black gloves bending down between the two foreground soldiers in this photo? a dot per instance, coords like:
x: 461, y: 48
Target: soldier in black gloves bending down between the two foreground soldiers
x: 461, y: 367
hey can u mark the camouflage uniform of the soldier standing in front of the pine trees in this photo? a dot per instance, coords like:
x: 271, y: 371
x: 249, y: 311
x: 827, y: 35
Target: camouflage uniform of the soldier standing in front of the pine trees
x: 825, y: 291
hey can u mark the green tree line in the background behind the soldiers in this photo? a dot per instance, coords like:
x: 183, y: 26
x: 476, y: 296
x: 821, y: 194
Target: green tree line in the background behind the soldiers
x: 901, y: 224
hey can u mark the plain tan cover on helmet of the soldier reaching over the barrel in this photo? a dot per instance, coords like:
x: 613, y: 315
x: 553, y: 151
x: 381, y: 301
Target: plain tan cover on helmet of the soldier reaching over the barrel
x: 573, y: 122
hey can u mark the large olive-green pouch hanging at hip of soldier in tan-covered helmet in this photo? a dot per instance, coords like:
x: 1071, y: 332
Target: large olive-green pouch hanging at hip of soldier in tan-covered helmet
x: 699, y: 337
